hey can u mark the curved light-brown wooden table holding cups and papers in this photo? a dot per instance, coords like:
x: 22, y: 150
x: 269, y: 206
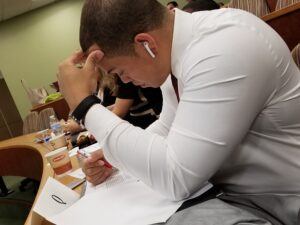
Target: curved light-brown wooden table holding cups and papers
x: 19, y: 146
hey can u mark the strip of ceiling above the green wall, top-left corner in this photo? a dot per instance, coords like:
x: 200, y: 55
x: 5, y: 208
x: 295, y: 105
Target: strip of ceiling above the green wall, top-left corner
x: 12, y: 8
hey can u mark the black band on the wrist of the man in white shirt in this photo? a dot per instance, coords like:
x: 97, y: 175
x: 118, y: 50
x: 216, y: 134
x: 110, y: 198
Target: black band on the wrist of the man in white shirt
x: 81, y: 110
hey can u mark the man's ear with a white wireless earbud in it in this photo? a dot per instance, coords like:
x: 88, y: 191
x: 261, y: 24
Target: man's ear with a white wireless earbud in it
x: 145, y: 43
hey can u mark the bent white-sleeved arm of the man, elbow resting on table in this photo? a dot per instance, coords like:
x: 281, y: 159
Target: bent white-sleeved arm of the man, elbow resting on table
x: 223, y: 94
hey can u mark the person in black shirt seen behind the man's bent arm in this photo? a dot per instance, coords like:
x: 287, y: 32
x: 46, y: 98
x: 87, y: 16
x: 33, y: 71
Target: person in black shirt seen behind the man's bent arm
x: 139, y: 106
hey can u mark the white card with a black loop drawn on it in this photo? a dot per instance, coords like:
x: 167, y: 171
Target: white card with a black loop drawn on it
x: 54, y: 198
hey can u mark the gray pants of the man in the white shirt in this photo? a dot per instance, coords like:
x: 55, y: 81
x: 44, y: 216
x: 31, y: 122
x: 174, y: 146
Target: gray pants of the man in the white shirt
x: 241, y: 210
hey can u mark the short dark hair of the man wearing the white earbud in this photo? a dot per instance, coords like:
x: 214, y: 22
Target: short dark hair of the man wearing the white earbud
x: 113, y: 24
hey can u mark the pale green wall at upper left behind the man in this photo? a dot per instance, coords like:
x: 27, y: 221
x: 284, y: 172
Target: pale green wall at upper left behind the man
x: 33, y: 44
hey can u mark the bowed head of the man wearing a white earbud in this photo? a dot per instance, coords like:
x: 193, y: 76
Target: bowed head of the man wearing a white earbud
x: 125, y: 31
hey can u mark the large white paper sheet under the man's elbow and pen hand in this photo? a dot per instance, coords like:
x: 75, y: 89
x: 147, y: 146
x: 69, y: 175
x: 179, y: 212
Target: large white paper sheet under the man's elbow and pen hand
x: 118, y: 202
